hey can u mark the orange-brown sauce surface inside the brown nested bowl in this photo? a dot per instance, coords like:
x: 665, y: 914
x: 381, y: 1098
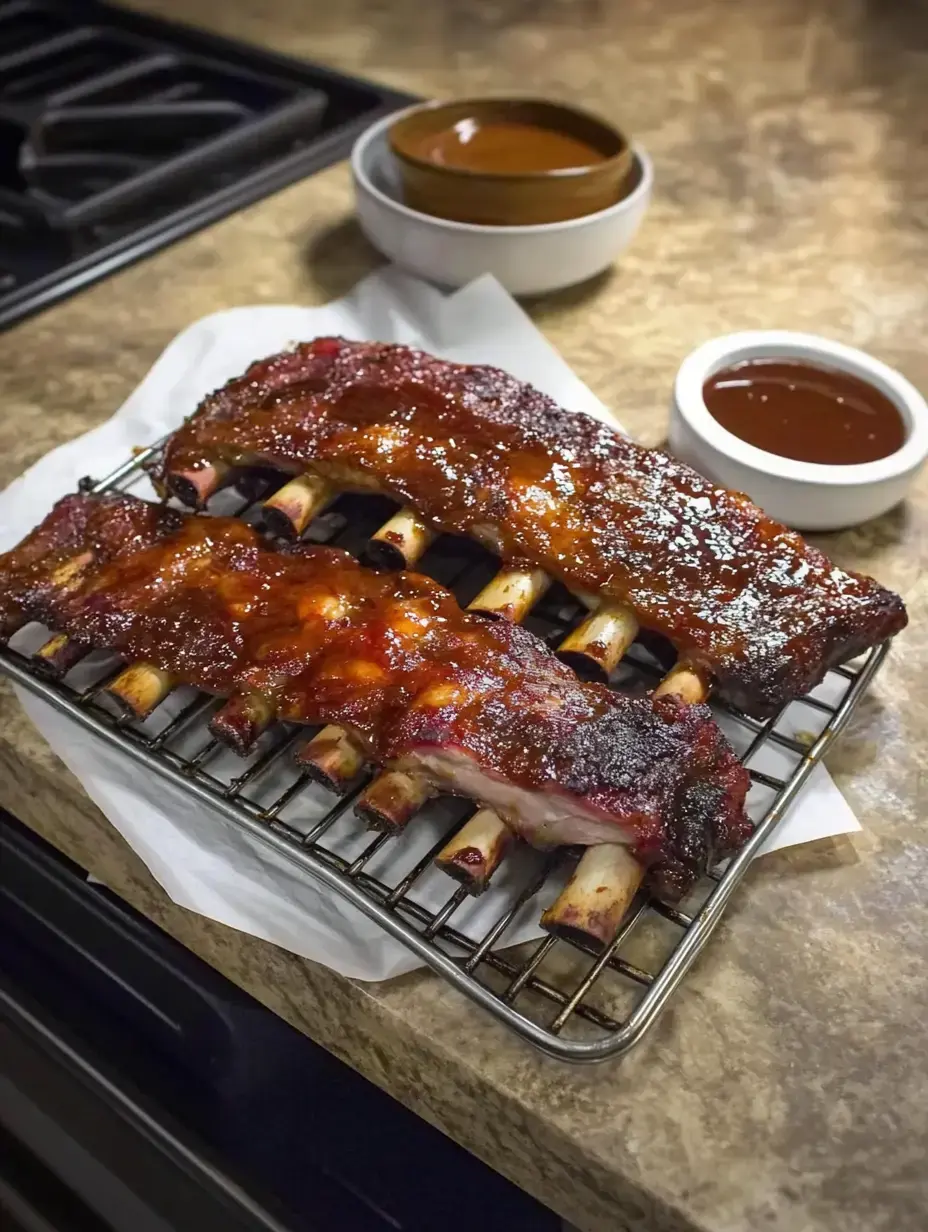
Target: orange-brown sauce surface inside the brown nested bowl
x: 501, y: 147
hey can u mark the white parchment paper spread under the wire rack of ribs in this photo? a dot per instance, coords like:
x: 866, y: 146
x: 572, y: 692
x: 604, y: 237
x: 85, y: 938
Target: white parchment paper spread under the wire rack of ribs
x: 204, y: 862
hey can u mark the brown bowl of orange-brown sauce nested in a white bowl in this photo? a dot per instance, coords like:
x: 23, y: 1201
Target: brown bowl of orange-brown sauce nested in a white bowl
x: 510, y: 162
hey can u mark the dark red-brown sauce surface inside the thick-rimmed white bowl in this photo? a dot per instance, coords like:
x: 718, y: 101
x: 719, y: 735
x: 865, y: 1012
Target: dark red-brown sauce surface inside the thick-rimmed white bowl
x: 803, y: 412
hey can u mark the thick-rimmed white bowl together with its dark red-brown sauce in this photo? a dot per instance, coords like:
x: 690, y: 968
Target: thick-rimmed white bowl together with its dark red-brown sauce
x: 820, y: 436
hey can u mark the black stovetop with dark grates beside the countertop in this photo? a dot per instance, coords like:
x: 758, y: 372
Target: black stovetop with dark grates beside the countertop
x: 121, y: 134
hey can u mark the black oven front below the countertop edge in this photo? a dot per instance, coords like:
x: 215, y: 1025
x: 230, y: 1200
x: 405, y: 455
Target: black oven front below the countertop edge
x: 141, y: 1091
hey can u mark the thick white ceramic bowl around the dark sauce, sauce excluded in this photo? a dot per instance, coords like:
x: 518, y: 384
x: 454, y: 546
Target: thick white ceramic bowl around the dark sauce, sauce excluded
x: 805, y: 496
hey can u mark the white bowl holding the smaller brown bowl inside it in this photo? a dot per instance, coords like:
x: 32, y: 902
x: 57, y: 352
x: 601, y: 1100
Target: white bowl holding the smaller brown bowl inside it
x: 527, y: 261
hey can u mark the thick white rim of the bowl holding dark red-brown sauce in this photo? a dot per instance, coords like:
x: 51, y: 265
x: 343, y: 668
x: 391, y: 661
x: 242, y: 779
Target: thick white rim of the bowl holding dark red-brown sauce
x: 720, y: 353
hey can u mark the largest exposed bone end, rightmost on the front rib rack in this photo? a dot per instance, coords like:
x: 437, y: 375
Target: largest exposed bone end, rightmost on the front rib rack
x: 596, y: 900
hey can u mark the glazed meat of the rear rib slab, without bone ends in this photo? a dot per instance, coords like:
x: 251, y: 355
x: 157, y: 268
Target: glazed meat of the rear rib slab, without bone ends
x: 481, y: 454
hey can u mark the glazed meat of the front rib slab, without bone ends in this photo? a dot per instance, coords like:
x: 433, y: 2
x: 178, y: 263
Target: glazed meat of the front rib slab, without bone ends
x: 480, y: 708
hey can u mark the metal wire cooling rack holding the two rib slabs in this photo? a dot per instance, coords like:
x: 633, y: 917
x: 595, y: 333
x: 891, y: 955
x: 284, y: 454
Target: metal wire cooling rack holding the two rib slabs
x: 574, y: 1003
